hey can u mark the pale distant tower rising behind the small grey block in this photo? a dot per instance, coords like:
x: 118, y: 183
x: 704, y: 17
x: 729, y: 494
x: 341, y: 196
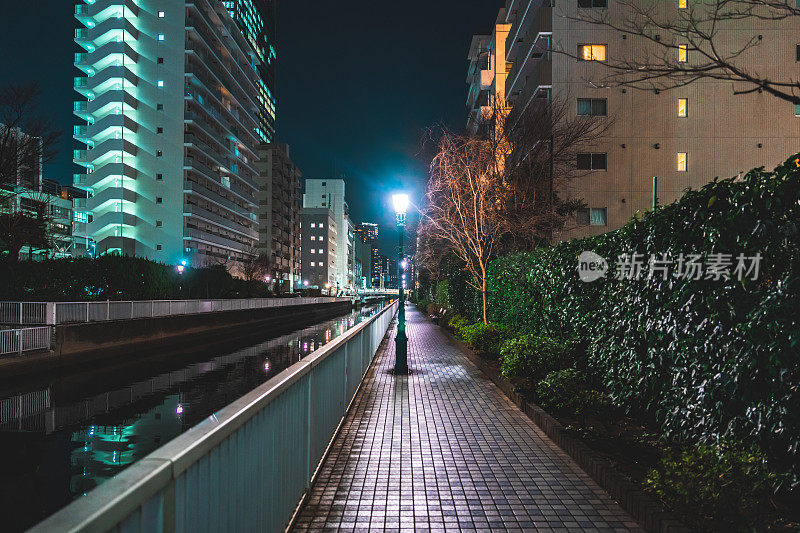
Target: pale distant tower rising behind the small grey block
x: 329, y: 193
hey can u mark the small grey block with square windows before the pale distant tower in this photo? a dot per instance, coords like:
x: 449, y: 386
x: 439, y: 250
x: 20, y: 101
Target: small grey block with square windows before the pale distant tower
x: 319, y: 248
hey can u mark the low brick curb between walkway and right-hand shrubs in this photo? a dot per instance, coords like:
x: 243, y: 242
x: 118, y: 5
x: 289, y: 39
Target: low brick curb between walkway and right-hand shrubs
x: 642, y: 507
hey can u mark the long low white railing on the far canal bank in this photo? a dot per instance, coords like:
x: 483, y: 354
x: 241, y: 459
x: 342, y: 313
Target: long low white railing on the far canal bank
x: 53, y: 313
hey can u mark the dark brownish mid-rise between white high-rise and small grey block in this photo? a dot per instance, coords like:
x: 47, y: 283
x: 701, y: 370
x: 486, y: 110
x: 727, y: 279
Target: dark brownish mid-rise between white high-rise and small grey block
x: 279, y: 210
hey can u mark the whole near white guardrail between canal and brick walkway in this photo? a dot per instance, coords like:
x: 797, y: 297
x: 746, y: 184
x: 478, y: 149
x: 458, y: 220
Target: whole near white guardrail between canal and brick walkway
x: 246, y: 467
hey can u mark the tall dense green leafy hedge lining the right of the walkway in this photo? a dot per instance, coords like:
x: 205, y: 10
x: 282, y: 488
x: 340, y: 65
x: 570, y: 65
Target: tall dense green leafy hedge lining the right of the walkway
x: 707, y: 360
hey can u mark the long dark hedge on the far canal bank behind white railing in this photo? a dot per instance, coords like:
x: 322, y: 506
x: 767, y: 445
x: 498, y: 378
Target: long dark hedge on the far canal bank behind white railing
x: 114, y: 277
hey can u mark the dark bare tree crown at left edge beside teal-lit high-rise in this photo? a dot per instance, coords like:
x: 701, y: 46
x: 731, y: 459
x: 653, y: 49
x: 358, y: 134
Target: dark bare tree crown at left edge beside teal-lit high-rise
x: 27, y: 139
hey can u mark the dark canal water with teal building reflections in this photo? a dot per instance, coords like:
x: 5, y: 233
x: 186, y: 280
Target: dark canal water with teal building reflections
x: 61, y: 438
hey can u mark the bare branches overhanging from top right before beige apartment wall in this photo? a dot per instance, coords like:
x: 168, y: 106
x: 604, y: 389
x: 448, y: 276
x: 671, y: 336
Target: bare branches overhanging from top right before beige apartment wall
x: 674, y: 48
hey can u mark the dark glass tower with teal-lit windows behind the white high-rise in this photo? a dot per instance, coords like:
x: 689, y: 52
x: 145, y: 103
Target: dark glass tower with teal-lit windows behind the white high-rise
x: 256, y: 19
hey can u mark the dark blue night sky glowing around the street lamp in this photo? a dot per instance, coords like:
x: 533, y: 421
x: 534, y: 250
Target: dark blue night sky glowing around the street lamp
x: 357, y: 84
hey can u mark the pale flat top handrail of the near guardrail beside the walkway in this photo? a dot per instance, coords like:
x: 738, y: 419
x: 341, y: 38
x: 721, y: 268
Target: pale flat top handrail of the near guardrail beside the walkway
x: 108, y: 505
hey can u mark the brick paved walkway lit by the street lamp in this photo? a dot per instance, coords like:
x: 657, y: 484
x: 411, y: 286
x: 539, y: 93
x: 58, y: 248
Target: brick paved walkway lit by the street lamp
x: 445, y: 450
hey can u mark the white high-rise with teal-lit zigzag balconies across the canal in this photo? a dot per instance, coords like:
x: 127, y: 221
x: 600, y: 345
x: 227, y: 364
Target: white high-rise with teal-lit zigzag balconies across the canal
x: 170, y: 120
